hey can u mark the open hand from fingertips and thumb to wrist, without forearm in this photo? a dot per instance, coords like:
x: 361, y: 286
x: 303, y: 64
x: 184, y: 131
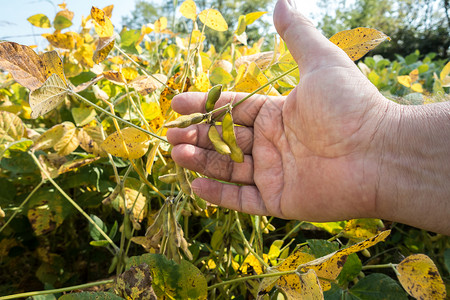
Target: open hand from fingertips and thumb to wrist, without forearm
x: 308, y: 155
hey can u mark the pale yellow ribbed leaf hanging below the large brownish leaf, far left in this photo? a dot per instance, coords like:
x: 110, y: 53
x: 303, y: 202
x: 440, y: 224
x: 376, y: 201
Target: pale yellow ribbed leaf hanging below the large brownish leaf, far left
x: 49, y: 96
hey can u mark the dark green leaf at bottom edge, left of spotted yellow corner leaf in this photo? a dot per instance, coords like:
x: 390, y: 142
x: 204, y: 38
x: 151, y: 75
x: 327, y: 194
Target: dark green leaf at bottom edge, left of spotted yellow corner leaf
x: 378, y: 286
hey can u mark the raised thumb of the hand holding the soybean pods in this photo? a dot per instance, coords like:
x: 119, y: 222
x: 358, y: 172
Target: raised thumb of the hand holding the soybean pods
x: 308, y: 46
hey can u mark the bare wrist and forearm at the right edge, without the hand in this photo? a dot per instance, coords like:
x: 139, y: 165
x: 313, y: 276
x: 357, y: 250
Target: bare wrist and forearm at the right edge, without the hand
x: 414, y: 166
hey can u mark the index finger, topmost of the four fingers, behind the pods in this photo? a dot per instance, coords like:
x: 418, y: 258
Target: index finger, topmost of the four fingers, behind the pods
x: 243, y: 114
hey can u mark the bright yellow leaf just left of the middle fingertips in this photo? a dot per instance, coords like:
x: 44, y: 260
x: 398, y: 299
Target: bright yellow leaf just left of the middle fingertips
x: 131, y: 144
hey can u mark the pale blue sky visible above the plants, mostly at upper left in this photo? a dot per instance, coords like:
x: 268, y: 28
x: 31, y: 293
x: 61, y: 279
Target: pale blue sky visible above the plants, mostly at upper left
x: 14, y: 13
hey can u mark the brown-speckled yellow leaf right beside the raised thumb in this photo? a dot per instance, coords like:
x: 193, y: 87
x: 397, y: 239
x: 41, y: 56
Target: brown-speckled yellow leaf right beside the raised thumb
x: 357, y: 42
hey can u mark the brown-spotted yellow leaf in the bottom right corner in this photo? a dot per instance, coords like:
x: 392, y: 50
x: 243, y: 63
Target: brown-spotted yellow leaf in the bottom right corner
x: 420, y: 278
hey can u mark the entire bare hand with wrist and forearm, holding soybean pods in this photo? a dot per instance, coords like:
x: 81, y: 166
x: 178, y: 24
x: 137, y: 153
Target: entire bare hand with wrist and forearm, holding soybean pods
x: 334, y: 149
